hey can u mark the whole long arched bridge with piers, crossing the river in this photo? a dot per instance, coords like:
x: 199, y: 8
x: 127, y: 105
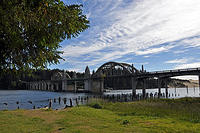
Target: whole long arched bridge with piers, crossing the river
x: 111, y: 75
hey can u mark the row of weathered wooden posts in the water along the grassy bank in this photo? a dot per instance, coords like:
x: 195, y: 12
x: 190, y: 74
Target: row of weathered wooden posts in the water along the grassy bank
x: 86, y: 99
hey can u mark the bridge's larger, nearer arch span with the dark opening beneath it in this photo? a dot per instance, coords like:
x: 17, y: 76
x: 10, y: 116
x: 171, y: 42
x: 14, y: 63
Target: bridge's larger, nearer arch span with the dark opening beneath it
x: 116, y: 75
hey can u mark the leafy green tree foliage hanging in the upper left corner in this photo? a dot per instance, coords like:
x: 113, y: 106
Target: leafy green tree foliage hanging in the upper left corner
x: 31, y: 30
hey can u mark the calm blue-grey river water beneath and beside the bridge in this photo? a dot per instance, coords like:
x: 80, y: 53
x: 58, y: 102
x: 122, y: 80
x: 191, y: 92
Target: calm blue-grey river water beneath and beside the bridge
x: 40, y: 98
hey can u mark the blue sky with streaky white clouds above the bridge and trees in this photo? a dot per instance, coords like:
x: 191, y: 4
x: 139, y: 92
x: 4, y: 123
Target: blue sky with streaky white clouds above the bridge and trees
x: 159, y: 34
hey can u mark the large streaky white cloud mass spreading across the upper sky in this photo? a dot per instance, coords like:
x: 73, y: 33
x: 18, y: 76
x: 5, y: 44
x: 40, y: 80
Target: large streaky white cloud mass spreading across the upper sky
x: 135, y: 27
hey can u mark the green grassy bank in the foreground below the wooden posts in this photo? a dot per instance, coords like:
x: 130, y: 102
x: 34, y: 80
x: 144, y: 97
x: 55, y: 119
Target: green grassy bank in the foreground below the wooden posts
x: 180, y: 115
